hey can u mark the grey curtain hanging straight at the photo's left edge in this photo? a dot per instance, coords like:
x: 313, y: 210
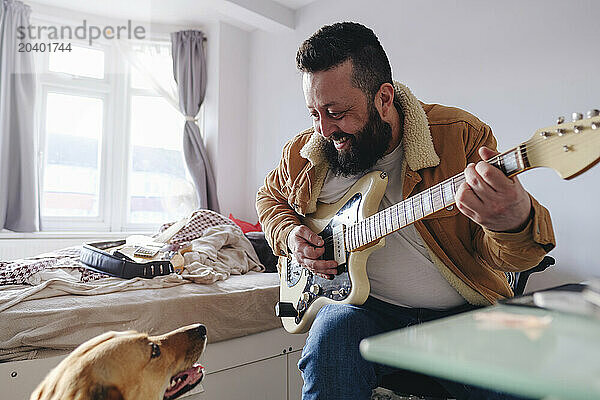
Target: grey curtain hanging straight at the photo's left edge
x: 19, y: 206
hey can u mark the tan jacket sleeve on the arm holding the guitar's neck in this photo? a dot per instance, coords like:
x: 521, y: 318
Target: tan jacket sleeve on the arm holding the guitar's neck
x: 506, y: 251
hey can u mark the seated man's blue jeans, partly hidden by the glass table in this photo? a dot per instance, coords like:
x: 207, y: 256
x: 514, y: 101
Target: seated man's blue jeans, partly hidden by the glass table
x: 331, y: 364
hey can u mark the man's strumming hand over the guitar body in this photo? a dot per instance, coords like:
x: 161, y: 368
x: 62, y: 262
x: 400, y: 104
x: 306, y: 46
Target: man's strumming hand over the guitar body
x: 306, y: 247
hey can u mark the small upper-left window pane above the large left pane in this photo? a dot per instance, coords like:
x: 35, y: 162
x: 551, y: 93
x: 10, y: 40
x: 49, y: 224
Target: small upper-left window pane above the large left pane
x: 81, y: 61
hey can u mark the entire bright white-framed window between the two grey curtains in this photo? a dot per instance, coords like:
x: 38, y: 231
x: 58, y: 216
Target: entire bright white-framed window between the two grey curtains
x: 110, y: 146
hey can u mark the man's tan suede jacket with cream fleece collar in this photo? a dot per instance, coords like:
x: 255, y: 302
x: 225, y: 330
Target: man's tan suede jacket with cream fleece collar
x: 438, y: 143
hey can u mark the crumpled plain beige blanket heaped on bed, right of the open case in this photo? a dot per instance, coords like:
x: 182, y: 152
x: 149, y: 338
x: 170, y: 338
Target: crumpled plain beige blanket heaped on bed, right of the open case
x: 221, y: 251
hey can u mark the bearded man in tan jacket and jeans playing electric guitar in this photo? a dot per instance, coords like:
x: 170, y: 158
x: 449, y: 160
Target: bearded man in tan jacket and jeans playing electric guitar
x: 364, y: 121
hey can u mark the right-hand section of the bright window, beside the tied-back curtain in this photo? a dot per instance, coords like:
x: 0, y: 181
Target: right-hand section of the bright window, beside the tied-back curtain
x: 158, y: 185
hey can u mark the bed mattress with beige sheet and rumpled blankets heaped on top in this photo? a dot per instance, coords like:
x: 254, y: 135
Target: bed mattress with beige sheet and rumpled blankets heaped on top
x: 53, y: 302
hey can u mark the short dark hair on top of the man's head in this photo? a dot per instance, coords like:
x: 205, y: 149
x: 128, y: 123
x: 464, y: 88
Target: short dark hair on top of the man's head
x: 333, y: 44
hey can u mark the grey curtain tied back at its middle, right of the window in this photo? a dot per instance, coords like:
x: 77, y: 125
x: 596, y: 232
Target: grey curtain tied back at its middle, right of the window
x: 189, y: 69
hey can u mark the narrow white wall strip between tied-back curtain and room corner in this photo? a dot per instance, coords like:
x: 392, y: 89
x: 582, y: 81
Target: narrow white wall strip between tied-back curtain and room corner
x: 226, y: 123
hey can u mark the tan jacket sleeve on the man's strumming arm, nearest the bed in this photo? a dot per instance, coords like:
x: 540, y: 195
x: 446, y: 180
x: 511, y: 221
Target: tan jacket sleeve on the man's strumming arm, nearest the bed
x: 274, y: 213
